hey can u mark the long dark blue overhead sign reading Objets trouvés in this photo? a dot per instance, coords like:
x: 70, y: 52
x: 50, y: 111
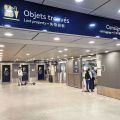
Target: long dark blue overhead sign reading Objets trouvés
x: 24, y: 14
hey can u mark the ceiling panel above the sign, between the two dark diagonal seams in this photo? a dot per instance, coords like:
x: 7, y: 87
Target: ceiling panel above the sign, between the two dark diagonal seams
x: 84, y: 7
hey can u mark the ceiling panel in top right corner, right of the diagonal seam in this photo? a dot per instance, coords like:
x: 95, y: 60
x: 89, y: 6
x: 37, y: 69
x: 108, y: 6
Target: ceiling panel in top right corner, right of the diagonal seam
x: 109, y: 10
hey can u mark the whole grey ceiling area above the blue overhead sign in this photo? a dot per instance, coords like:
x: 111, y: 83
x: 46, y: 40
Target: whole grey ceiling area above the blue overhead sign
x: 104, y: 8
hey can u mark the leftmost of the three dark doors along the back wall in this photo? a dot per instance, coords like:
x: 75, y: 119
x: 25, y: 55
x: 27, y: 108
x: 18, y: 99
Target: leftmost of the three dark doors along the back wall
x: 6, y: 73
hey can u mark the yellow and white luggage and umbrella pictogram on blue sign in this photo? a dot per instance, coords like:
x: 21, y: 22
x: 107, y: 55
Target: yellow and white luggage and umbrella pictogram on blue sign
x: 11, y: 12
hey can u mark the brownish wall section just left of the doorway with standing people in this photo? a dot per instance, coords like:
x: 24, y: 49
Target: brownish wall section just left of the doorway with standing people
x: 73, y: 79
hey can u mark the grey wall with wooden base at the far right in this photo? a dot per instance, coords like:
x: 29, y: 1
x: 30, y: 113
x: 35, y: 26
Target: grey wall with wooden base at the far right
x: 109, y: 82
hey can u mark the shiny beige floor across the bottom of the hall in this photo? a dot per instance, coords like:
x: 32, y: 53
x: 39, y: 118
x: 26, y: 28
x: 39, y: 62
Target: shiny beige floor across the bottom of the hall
x: 47, y: 101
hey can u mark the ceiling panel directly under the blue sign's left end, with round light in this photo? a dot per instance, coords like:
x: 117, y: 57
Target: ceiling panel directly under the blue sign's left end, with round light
x: 17, y: 34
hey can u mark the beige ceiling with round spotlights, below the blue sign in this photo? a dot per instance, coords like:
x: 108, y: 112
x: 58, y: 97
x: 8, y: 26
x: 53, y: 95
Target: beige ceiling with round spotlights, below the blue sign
x: 40, y: 45
